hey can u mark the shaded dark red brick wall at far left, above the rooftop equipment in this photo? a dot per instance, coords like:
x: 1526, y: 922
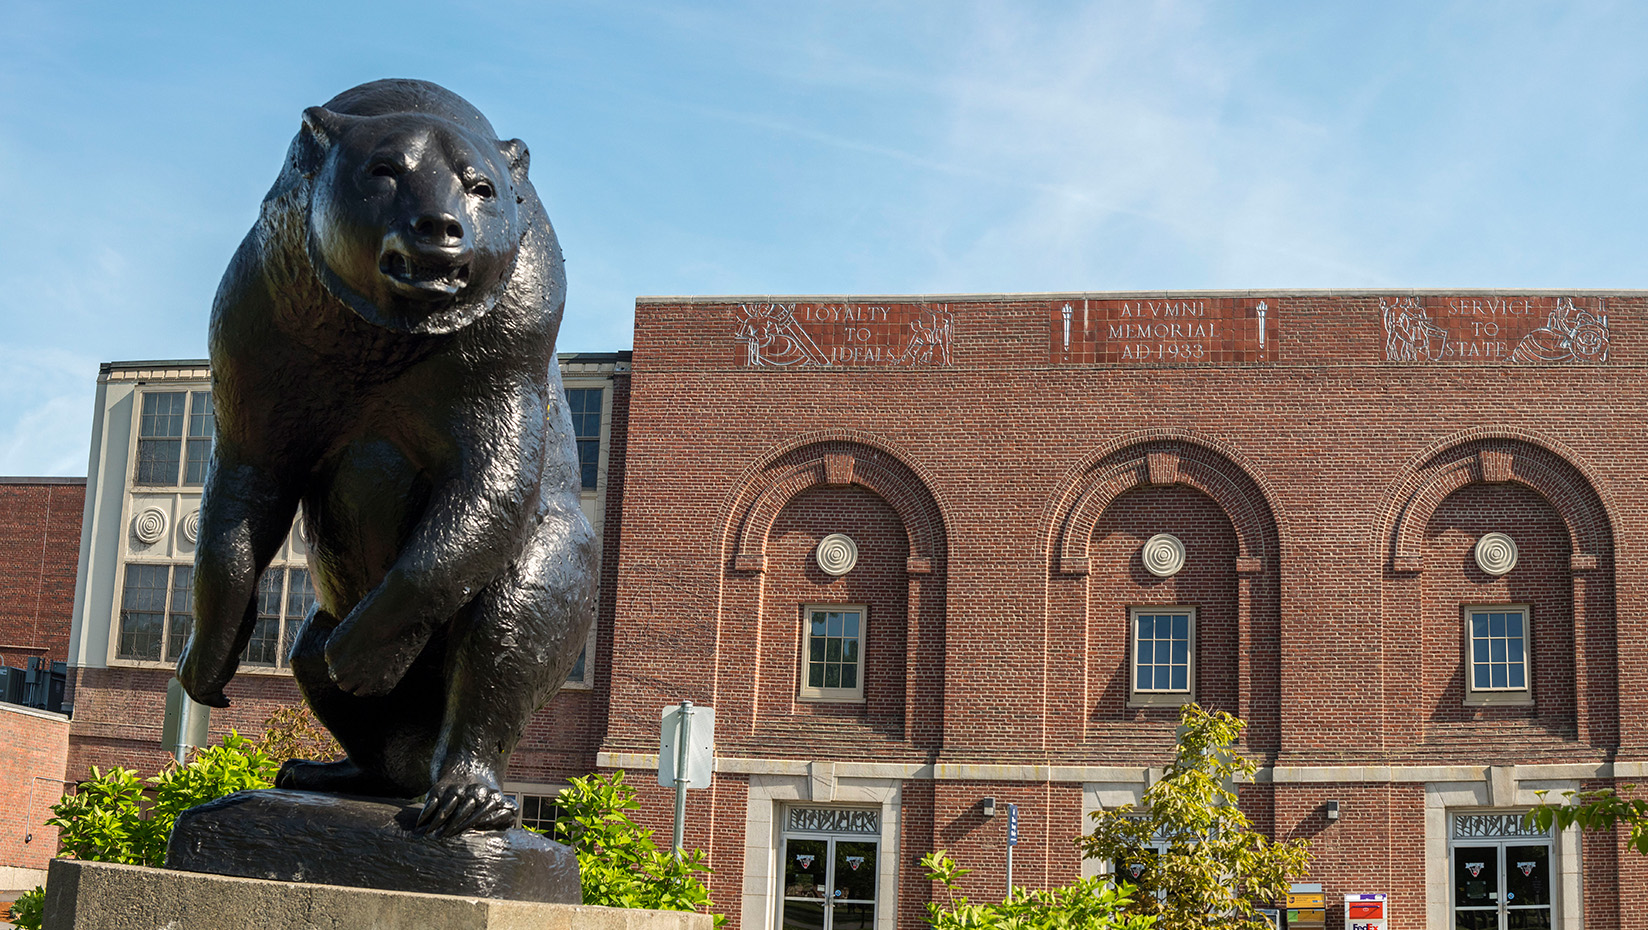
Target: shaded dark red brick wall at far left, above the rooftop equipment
x: 40, y: 548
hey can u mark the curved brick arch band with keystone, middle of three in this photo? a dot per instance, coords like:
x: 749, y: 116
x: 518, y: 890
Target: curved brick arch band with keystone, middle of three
x: 1161, y: 459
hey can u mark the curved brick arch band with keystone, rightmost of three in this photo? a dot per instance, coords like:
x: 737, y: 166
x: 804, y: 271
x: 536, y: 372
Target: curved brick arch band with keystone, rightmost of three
x: 1496, y: 458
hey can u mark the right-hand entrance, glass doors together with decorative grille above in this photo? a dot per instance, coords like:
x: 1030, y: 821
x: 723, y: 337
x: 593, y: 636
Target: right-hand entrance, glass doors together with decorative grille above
x: 1502, y: 871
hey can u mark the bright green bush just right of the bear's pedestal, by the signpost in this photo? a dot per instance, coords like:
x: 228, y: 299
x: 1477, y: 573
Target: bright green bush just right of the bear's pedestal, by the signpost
x: 619, y: 863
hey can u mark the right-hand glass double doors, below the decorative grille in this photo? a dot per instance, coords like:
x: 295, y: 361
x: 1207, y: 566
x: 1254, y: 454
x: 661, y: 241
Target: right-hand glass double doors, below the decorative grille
x: 1502, y: 886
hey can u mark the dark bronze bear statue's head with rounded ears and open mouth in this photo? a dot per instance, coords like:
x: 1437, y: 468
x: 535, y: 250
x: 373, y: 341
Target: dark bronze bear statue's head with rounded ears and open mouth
x: 414, y: 220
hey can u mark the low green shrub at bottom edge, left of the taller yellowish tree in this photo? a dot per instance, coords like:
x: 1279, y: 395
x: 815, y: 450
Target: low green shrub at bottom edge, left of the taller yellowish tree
x: 1089, y: 904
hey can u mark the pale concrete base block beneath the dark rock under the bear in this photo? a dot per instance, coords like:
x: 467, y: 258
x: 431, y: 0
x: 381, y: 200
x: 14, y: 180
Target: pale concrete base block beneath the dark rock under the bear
x: 101, y: 896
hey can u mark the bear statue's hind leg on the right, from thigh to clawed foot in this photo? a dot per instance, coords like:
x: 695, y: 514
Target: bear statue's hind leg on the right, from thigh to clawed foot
x: 508, y: 655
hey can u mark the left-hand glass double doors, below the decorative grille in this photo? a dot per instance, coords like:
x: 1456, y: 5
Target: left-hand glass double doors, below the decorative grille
x: 830, y: 883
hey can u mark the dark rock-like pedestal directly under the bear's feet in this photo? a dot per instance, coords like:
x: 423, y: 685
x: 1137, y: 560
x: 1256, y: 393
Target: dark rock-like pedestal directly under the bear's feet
x: 367, y: 843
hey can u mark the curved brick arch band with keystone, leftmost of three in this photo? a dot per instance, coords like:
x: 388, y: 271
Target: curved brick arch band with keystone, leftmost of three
x: 835, y: 461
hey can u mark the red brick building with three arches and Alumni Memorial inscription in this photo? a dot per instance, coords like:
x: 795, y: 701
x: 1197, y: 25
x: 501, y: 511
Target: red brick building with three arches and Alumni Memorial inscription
x: 1395, y: 532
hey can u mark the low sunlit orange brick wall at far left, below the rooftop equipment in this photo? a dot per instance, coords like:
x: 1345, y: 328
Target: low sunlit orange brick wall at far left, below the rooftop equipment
x: 37, y: 746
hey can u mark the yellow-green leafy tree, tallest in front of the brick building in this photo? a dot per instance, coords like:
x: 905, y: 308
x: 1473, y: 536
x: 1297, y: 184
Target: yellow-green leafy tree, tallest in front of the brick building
x: 1215, y: 870
